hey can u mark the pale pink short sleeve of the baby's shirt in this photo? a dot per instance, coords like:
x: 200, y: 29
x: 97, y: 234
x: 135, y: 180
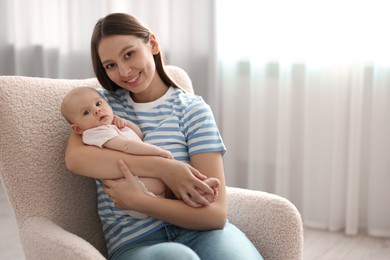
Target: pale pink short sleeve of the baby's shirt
x: 99, y: 135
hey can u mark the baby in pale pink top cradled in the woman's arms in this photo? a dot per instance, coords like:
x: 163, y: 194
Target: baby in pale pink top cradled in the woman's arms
x: 90, y: 115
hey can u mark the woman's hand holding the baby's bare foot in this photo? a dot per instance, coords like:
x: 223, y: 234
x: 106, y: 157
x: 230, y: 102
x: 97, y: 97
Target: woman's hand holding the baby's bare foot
x: 186, y: 183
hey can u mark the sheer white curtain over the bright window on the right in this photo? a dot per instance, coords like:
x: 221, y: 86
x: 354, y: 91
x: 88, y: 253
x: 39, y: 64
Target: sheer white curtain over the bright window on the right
x: 303, y: 104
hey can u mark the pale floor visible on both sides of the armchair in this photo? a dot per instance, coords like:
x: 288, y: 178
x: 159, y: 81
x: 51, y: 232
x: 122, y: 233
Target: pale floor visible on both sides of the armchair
x: 319, y: 245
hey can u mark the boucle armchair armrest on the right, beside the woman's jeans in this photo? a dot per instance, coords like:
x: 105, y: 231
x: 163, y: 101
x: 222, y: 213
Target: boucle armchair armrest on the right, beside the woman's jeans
x: 271, y: 222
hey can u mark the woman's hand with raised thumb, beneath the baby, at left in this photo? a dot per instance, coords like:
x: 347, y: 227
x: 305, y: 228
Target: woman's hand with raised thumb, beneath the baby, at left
x: 124, y: 193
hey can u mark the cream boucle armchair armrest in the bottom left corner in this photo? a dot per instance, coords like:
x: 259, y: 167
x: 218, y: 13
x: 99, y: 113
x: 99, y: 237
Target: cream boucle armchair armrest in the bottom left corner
x: 43, y: 239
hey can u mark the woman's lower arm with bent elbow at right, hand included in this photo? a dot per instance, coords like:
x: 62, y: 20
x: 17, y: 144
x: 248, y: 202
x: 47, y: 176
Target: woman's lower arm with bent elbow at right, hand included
x: 176, y: 212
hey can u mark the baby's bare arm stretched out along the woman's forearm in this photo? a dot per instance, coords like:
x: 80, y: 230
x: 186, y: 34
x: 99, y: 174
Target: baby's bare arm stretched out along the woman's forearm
x: 120, y: 143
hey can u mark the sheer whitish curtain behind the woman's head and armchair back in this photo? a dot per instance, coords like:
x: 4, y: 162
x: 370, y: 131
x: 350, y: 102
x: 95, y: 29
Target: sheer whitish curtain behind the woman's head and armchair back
x: 51, y: 38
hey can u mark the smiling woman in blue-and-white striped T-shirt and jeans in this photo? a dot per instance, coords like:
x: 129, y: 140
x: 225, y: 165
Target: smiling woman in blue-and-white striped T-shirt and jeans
x: 128, y: 63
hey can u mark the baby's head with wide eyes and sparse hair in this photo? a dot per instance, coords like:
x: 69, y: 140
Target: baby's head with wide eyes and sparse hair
x: 84, y: 108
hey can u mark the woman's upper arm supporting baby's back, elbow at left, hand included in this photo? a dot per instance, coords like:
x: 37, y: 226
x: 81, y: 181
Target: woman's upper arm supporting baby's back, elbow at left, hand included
x: 95, y: 162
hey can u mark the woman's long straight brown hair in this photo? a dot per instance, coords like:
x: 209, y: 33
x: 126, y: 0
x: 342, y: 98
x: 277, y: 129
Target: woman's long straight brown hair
x: 122, y: 24
